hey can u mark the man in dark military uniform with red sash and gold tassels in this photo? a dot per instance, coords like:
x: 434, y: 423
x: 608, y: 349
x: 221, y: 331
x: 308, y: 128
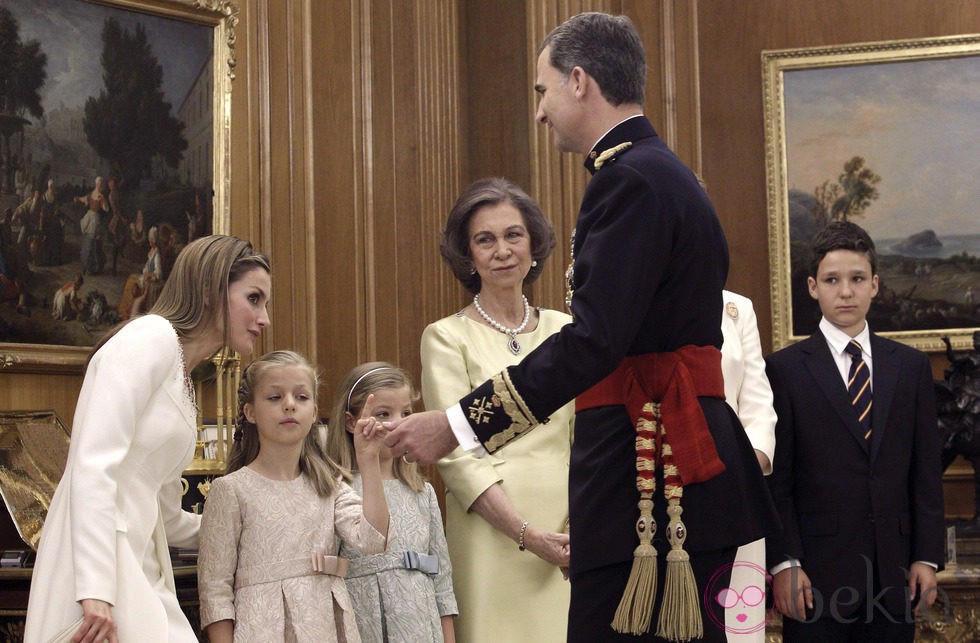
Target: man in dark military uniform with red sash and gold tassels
x: 649, y: 263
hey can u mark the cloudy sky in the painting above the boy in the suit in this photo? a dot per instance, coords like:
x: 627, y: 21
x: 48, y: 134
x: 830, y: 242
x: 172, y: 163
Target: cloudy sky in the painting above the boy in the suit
x: 917, y: 125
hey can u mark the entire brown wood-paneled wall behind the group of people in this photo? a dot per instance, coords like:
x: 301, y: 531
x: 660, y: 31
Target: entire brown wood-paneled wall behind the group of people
x: 355, y: 123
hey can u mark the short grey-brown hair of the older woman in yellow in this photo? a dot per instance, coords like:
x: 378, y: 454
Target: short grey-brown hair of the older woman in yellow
x: 455, y: 243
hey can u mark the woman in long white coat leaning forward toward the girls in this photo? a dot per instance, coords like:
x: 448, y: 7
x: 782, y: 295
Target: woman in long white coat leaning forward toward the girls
x: 103, y: 569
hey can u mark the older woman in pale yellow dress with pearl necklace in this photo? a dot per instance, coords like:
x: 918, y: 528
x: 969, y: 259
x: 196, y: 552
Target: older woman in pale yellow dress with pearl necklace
x: 507, y: 512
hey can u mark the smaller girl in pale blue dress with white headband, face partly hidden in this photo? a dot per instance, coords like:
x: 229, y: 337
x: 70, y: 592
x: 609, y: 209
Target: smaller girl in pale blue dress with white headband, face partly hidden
x: 405, y: 593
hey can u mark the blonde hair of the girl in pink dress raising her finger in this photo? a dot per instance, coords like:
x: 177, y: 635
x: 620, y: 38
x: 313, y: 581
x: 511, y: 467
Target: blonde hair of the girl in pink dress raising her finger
x: 322, y: 471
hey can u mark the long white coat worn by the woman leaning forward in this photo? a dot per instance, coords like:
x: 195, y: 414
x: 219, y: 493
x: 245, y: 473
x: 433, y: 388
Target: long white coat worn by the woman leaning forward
x: 117, y: 506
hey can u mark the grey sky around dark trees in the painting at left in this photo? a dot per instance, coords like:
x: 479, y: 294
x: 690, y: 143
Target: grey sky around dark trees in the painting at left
x: 70, y: 32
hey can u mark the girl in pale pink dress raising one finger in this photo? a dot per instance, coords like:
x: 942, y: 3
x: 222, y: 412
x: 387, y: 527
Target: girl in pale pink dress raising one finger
x: 271, y: 526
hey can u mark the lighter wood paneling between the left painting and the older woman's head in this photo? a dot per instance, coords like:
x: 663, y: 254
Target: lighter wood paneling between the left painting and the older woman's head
x: 353, y: 112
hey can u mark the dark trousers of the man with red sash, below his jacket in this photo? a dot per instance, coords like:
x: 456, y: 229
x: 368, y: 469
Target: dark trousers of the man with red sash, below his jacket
x: 596, y: 594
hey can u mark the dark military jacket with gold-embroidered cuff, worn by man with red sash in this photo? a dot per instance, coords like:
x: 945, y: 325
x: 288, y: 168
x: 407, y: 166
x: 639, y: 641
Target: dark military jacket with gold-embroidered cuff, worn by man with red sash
x: 650, y: 263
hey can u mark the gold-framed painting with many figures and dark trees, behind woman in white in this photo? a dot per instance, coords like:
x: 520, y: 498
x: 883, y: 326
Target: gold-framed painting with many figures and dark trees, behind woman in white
x: 114, y: 154
